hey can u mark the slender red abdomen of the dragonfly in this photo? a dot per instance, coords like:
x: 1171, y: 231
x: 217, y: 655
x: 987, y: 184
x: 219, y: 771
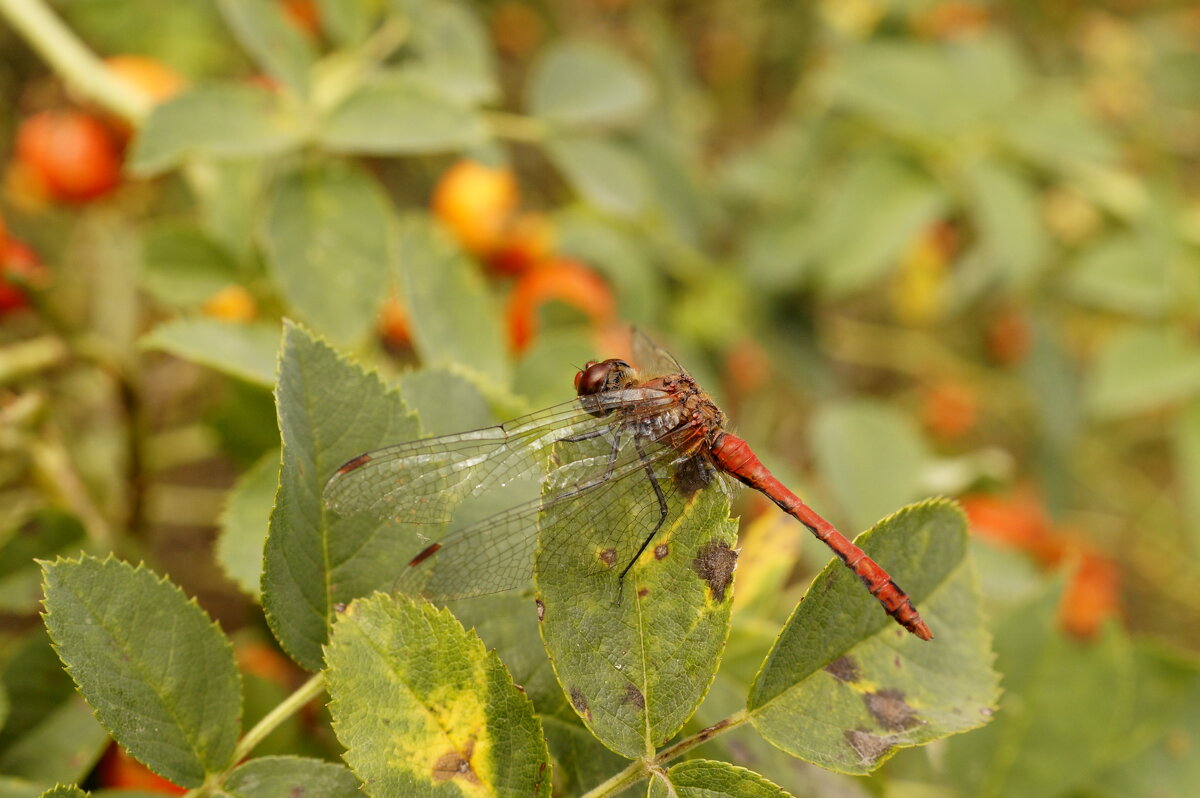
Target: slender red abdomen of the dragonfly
x: 735, y: 457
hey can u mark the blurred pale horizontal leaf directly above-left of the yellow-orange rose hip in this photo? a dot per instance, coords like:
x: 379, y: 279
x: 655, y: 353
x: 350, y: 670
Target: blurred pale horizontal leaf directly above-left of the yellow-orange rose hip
x: 401, y: 115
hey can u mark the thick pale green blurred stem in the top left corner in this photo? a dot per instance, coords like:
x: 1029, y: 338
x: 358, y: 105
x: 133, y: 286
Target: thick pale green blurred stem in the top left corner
x: 73, y: 61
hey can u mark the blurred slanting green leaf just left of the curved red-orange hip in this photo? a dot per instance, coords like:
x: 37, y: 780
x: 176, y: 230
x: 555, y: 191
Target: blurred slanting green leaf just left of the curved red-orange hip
x: 454, y: 316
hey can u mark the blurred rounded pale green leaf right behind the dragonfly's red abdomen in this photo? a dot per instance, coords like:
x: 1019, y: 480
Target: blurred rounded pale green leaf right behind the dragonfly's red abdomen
x: 872, y: 457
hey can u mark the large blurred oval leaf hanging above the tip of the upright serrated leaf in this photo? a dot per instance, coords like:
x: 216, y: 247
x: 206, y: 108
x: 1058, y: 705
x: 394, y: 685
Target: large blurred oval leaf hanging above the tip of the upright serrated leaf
x: 328, y: 239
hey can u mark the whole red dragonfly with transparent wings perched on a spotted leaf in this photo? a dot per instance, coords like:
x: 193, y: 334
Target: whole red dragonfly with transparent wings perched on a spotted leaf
x: 643, y: 441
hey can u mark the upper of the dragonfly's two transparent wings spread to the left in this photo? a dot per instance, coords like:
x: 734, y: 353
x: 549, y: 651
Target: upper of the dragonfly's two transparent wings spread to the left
x: 423, y: 482
